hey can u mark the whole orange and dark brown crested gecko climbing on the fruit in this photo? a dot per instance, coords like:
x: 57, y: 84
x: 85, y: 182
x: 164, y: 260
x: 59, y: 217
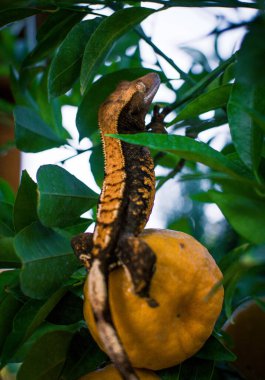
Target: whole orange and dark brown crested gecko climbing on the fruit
x: 124, y: 207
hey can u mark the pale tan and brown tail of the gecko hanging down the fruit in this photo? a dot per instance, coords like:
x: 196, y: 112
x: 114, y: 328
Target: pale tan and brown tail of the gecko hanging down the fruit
x: 98, y: 295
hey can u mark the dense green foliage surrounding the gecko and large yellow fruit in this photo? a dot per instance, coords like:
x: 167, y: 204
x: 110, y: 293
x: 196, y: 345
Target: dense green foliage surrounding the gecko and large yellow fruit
x: 79, y: 61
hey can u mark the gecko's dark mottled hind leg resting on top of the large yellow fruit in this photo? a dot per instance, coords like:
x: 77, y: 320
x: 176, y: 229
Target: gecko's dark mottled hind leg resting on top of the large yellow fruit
x: 139, y: 259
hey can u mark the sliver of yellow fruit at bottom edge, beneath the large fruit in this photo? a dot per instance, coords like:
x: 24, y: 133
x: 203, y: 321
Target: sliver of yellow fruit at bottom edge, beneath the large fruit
x: 110, y: 373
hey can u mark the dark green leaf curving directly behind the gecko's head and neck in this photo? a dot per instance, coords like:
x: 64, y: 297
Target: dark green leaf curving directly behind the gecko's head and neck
x: 87, y: 115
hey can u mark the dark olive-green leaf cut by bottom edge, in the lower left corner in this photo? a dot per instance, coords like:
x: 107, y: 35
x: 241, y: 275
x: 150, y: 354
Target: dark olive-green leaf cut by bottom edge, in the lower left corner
x: 46, y: 358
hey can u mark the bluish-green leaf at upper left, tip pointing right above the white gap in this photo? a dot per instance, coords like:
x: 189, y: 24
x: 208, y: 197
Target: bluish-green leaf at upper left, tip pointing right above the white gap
x: 32, y: 134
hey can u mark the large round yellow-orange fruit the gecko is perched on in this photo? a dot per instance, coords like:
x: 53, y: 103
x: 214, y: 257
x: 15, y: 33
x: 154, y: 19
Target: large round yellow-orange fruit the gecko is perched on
x: 164, y: 336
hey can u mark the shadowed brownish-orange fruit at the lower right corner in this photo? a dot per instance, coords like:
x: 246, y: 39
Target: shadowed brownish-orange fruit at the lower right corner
x: 246, y: 327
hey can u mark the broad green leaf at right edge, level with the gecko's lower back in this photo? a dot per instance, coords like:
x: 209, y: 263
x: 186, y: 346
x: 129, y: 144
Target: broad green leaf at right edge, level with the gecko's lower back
x: 246, y: 215
